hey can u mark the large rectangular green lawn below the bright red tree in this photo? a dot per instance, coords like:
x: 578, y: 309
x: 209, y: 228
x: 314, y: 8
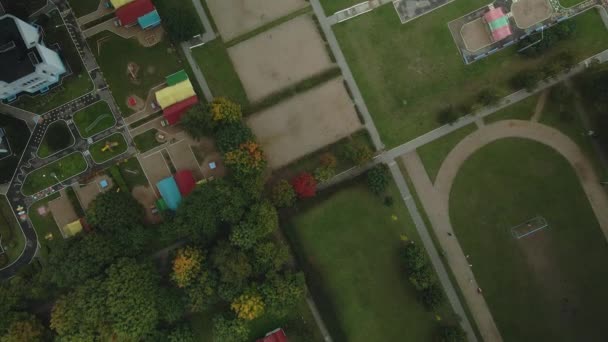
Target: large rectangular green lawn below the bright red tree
x: 349, y: 245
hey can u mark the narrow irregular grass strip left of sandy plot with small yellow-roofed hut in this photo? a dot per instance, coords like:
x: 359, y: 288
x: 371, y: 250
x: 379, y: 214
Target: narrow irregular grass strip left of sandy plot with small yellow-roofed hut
x: 45, y: 225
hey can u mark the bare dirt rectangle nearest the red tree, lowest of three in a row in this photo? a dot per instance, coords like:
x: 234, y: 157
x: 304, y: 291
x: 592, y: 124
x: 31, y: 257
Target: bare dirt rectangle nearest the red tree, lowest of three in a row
x: 305, y: 123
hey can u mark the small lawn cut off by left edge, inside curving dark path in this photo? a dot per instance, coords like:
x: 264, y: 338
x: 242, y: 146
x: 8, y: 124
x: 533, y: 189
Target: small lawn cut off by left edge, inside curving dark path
x: 12, y: 238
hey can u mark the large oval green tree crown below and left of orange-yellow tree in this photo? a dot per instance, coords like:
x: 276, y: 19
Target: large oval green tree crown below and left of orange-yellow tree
x: 132, y: 291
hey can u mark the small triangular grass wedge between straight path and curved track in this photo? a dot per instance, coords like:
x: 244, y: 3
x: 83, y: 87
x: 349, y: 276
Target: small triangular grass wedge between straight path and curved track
x: 433, y: 154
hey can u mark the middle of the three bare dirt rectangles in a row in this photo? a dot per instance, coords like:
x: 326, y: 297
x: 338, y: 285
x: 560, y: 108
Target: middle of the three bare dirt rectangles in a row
x: 280, y: 57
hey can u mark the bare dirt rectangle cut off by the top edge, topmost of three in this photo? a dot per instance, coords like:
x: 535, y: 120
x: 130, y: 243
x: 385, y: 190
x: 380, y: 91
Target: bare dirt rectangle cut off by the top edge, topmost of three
x: 236, y: 17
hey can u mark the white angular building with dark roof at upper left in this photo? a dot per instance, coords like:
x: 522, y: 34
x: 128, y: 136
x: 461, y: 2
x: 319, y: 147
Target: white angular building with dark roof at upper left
x: 26, y: 65
